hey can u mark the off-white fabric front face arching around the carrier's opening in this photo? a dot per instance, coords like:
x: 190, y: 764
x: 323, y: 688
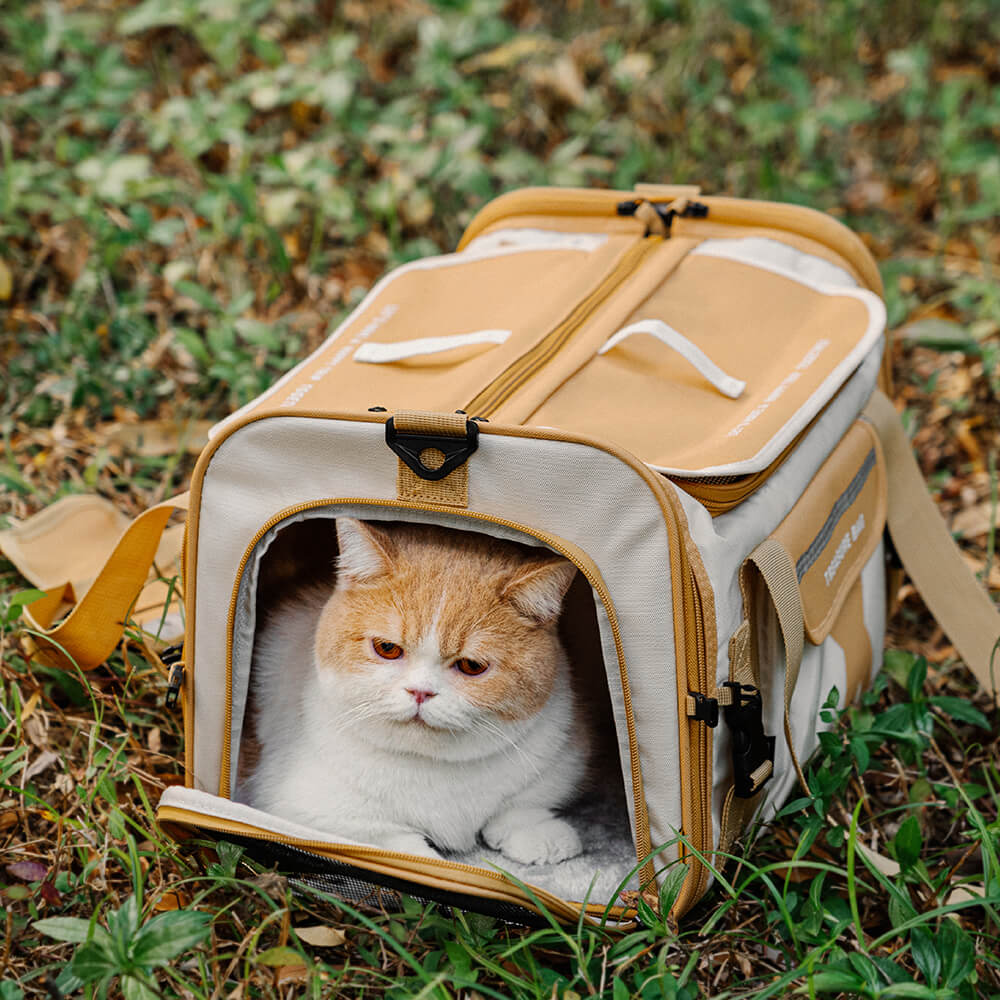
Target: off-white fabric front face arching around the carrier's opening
x: 552, y: 488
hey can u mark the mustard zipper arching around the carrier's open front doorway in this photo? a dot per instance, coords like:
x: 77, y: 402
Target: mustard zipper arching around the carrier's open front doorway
x: 643, y: 842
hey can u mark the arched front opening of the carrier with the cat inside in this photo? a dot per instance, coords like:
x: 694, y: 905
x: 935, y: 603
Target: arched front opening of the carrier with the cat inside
x: 287, y: 581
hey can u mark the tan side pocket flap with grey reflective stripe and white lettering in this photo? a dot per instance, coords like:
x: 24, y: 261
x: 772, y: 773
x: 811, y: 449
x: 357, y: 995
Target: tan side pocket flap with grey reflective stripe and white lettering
x: 835, y: 526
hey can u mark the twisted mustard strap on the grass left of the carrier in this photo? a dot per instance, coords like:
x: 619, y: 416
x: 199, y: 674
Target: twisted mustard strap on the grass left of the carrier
x: 87, y: 636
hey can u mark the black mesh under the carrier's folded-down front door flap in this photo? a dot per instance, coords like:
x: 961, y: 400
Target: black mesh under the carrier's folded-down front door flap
x: 363, y: 888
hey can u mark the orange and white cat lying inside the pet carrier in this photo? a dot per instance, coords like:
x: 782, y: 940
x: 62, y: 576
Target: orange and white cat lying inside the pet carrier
x: 426, y: 701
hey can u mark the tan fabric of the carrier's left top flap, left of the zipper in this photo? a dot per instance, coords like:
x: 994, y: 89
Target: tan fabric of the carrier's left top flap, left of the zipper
x: 525, y: 291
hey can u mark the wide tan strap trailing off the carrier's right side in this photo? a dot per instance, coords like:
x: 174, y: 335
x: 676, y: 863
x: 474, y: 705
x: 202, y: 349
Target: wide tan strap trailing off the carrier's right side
x: 961, y: 606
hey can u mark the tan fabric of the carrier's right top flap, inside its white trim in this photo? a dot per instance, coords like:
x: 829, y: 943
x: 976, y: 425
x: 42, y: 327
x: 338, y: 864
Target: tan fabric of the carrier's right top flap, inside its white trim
x: 780, y: 336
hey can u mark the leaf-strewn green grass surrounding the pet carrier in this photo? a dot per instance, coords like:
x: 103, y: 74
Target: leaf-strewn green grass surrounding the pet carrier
x: 193, y: 193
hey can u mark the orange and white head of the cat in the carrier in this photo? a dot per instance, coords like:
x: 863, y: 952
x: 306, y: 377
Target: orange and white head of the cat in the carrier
x: 440, y: 641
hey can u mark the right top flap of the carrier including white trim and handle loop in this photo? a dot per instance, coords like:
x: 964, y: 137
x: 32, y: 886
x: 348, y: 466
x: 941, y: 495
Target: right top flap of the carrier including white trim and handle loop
x: 720, y: 369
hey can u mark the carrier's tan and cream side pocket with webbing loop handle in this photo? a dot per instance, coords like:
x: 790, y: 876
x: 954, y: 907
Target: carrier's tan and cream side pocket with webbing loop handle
x: 814, y: 600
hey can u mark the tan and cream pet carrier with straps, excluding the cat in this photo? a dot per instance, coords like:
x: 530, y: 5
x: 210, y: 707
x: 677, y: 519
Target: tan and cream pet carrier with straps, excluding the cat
x: 683, y: 395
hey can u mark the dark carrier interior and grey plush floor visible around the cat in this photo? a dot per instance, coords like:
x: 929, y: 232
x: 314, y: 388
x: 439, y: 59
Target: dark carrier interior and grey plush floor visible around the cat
x: 302, y: 549
